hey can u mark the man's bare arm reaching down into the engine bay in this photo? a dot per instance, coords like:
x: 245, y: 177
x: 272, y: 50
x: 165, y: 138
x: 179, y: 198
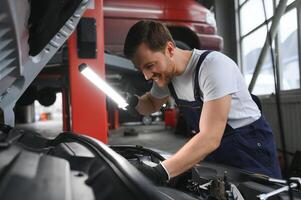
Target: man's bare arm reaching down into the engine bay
x: 212, y: 125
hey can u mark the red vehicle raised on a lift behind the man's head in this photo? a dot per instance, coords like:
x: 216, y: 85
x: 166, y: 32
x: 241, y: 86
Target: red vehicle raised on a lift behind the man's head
x: 191, y: 24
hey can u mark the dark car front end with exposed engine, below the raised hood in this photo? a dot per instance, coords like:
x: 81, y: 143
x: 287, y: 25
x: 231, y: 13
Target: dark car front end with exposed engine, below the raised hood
x: 73, y: 166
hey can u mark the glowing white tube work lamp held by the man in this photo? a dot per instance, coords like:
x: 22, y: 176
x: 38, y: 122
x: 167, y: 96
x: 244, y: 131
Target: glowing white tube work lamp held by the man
x: 102, y: 85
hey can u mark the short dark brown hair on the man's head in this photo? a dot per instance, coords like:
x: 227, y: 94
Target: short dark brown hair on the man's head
x: 154, y: 34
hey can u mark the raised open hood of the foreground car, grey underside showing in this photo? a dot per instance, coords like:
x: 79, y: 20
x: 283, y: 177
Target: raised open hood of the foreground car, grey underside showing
x: 30, y: 34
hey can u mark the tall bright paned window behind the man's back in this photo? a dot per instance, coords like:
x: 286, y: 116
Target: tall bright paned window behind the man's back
x: 253, y: 31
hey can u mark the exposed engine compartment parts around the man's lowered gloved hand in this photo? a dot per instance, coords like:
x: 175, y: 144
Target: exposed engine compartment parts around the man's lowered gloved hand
x: 209, y: 180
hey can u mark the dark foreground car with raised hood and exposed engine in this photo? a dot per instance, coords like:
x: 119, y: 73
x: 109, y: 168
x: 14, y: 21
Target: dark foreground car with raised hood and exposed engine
x: 74, y: 166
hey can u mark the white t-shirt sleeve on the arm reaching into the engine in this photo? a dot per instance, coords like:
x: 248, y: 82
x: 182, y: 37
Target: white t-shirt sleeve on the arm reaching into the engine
x: 218, y: 76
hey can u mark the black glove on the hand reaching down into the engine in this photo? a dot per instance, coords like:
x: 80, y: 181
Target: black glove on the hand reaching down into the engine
x: 156, y: 174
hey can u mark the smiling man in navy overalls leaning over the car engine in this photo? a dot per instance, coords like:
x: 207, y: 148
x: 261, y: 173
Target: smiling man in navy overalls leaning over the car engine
x: 211, y: 92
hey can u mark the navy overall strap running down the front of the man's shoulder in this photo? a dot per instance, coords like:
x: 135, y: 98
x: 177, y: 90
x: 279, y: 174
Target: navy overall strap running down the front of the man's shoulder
x: 196, y: 90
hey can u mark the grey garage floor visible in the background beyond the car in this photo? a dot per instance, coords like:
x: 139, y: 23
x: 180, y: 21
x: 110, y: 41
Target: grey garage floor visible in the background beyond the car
x: 155, y: 136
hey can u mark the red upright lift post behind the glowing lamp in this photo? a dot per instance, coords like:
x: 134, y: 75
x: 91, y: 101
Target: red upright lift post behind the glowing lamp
x: 88, y: 104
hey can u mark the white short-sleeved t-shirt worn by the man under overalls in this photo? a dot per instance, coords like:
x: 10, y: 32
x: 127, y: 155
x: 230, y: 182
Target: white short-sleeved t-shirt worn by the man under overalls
x: 218, y: 76
